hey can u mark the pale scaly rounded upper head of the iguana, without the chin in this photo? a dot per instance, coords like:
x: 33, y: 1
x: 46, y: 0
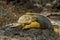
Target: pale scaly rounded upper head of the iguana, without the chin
x: 26, y: 19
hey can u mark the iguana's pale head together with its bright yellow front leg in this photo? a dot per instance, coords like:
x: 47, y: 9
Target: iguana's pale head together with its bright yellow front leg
x: 27, y: 21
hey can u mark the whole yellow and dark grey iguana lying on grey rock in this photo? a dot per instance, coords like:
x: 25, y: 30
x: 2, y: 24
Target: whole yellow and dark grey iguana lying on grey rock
x: 35, y: 21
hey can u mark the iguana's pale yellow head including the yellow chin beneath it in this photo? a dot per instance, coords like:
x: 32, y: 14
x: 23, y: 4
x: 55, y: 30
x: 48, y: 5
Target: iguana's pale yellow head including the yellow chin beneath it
x: 25, y: 19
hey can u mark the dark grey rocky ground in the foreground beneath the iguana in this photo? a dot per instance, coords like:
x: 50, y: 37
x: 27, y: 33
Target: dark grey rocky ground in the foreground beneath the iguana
x: 34, y: 34
